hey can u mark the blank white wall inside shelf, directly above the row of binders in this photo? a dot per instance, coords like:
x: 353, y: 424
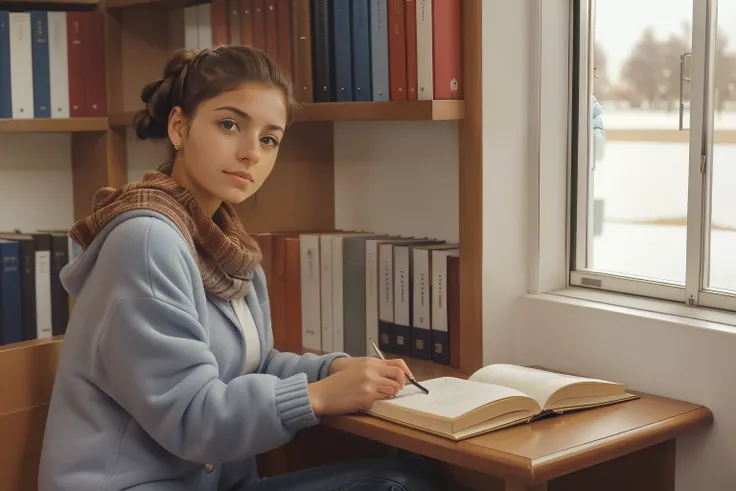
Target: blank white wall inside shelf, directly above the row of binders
x: 398, y: 178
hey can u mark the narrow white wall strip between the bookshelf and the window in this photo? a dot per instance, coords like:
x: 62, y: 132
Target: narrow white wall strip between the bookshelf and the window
x: 506, y: 154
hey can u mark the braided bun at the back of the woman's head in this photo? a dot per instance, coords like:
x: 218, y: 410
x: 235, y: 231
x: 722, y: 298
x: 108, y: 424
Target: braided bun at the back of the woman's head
x: 161, y: 96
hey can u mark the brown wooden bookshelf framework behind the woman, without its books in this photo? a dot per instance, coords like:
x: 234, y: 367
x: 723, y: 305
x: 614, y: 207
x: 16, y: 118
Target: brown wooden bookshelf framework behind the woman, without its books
x: 99, y: 145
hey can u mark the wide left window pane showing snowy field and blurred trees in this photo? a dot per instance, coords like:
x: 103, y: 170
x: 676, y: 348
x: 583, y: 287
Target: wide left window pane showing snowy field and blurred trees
x: 639, y: 163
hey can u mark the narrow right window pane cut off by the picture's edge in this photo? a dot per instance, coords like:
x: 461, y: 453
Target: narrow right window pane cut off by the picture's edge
x: 722, y: 249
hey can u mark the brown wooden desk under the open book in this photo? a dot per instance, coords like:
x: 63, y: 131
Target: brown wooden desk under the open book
x: 628, y: 446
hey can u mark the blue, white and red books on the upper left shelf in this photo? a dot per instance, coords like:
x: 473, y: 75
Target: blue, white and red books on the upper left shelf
x: 52, y: 64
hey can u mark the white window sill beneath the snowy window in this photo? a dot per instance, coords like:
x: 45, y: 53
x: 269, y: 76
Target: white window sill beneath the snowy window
x: 677, y: 313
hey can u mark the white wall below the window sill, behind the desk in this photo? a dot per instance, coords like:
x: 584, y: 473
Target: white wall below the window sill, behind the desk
x: 652, y: 353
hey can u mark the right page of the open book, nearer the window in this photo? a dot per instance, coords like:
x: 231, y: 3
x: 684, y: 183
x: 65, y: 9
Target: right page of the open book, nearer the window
x: 538, y: 384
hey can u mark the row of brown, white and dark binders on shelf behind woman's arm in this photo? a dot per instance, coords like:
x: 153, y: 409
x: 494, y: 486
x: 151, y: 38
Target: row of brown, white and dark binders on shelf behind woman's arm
x: 333, y: 291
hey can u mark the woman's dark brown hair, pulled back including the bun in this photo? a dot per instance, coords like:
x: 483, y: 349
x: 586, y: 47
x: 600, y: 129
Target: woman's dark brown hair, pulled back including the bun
x: 191, y: 78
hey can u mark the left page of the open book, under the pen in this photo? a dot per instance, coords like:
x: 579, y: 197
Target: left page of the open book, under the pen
x: 449, y: 397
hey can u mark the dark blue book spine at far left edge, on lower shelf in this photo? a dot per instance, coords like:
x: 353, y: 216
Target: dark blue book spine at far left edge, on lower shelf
x: 11, y: 328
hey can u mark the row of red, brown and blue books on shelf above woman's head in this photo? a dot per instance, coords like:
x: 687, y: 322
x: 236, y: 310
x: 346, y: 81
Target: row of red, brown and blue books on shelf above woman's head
x: 344, y: 50
